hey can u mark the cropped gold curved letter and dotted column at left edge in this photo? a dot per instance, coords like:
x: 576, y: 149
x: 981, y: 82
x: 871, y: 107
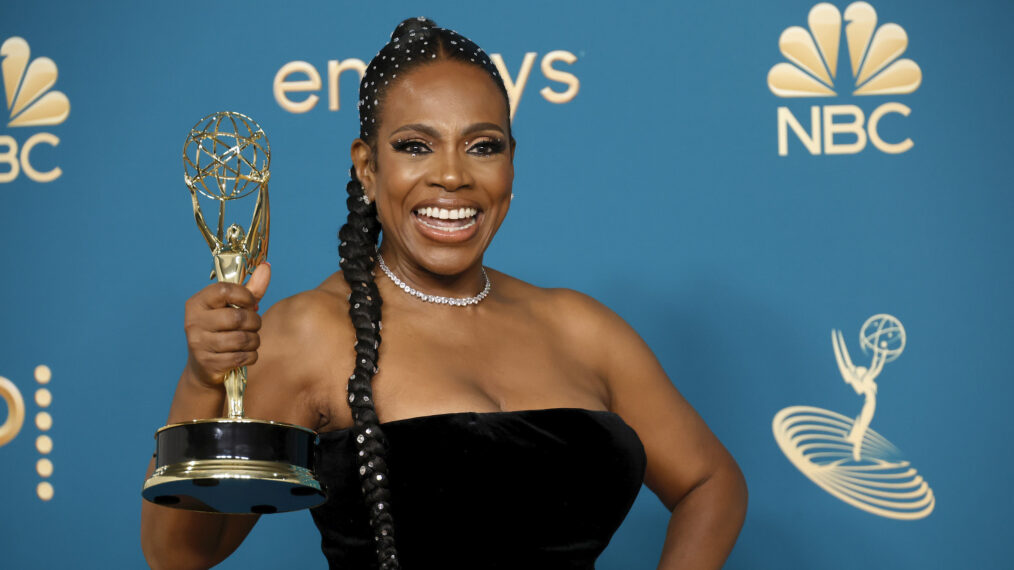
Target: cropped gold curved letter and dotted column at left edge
x: 44, y: 422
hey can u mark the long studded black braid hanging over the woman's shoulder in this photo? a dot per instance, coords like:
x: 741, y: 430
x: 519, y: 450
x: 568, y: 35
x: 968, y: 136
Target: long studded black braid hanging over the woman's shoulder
x: 358, y: 251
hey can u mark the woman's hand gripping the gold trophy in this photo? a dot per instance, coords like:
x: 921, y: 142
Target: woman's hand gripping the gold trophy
x: 223, y: 327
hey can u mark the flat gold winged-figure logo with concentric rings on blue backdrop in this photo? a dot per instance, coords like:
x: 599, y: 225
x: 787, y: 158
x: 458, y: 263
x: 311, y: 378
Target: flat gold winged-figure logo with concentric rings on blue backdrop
x: 845, y: 456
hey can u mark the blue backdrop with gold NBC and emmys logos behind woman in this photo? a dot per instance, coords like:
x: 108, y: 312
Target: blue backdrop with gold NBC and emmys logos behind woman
x: 805, y: 208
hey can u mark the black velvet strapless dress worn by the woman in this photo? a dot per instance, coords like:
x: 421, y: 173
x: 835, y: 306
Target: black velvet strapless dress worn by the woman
x: 531, y: 489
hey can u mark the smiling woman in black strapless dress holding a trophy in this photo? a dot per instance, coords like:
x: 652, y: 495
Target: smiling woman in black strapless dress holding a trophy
x: 497, y: 425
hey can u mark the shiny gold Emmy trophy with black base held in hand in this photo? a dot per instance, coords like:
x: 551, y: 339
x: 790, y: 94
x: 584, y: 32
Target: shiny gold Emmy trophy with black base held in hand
x: 233, y: 465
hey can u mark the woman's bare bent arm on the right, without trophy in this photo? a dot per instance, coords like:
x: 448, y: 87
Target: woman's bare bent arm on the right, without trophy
x: 689, y: 469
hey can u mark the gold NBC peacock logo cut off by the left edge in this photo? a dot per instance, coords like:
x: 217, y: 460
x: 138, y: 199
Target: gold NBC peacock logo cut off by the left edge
x: 31, y: 103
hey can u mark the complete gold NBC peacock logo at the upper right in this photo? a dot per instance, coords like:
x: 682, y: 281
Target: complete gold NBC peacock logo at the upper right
x: 878, y: 69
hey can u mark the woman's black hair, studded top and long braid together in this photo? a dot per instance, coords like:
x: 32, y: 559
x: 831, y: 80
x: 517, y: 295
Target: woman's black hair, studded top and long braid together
x: 414, y: 43
